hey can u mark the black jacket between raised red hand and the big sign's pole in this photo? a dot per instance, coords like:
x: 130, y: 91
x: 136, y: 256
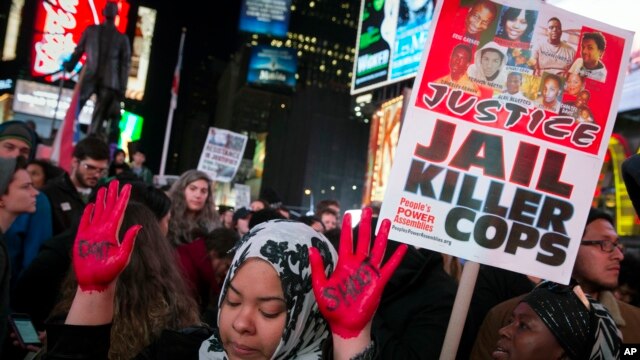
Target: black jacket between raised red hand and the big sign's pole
x: 414, y: 312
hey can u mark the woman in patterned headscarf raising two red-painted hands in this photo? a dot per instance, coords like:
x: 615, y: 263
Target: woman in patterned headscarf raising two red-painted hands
x: 267, y: 307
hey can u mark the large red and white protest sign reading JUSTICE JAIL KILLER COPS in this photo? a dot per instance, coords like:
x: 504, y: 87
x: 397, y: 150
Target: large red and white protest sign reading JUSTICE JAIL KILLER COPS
x: 505, y: 134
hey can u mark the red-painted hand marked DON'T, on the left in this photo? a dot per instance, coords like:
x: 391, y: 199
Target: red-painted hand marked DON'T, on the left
x: 98, y: 256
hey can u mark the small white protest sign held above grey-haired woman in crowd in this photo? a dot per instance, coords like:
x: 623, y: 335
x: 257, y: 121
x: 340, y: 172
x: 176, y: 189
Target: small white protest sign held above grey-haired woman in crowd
x: 222, y: 154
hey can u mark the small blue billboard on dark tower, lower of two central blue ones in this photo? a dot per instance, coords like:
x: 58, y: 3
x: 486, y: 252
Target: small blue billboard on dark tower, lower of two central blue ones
x: 272, y: 66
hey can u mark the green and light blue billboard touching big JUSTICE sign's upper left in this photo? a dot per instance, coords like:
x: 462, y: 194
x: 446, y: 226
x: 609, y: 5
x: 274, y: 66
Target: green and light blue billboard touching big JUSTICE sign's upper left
x: 391, y: 37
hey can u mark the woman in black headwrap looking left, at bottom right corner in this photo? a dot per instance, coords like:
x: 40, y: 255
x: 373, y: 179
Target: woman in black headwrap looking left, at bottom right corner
x: 559, y: 322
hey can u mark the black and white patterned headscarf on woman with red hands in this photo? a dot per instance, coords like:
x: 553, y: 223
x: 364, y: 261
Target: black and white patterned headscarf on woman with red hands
x: 285, y: 245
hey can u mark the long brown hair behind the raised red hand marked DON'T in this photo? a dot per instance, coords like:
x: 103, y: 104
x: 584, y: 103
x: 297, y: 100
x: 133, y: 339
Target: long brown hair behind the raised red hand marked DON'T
x: 151, y: 295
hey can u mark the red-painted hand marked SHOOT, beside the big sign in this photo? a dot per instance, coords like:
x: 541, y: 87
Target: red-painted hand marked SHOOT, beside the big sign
x: 350, y: 297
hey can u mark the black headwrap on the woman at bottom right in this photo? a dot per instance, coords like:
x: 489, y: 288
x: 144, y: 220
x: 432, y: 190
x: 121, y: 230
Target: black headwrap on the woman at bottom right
x: 582, y: 326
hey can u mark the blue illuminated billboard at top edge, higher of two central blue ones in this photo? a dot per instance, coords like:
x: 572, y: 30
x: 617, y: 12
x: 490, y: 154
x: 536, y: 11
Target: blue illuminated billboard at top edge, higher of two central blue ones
x: 268, y: 17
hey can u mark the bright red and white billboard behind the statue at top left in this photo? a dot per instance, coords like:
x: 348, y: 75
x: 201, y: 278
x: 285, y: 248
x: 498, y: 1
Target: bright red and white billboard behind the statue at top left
x: 58, y: 28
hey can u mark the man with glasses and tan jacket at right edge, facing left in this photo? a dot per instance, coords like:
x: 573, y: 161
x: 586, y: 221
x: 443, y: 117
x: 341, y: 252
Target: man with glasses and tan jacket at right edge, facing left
x: 596, y: 270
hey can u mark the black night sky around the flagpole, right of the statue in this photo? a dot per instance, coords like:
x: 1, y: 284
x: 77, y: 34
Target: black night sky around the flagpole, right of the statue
x: 210, y: 35
